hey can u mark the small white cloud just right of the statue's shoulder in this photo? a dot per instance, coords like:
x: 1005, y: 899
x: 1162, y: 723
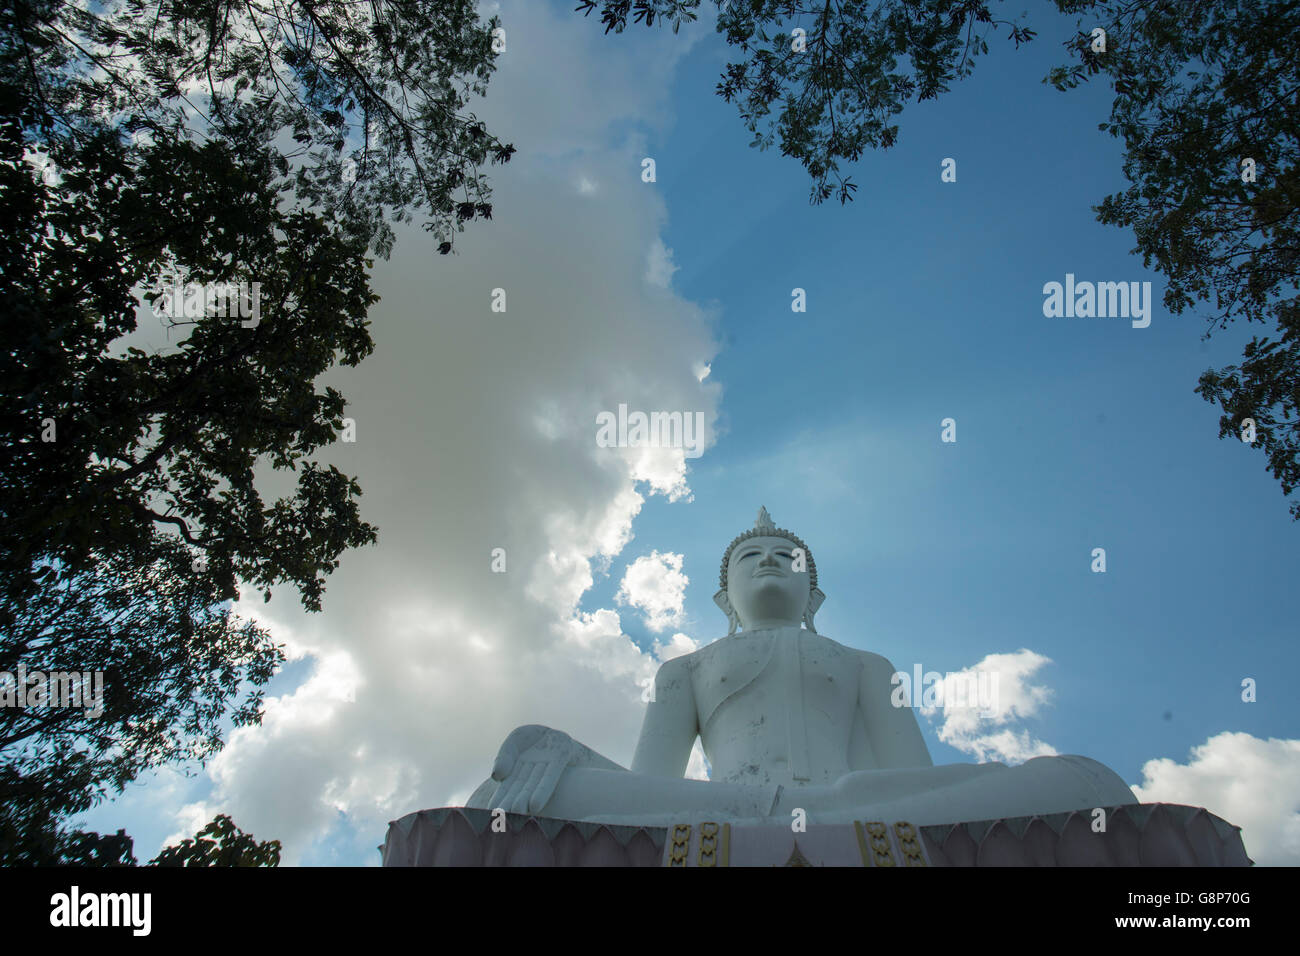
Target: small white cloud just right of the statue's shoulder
x: 980, y: 703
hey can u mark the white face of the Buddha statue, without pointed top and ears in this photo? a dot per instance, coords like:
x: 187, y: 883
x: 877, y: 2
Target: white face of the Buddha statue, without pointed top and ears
x: 762, y: 589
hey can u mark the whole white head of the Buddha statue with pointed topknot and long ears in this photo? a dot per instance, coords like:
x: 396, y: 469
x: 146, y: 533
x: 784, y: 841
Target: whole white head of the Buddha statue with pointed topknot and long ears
x: 759, y: 583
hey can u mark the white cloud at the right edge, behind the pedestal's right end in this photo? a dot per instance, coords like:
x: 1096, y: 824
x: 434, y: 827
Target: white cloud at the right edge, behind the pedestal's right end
x: 1250, y: 782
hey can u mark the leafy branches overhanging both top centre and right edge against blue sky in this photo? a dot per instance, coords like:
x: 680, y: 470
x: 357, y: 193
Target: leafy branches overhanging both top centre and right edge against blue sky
x: 1201, y: 88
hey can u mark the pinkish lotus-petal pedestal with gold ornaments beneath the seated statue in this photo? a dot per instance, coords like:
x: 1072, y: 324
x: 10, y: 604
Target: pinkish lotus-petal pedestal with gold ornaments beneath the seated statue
x: 1134, y: 836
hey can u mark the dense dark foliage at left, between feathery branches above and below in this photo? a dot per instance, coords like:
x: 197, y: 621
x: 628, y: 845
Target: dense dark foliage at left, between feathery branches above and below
x: 111, y: 444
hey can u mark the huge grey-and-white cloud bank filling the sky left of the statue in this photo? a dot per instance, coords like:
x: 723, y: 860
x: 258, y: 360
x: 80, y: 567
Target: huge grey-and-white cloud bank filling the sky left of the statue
x: 475, y: 431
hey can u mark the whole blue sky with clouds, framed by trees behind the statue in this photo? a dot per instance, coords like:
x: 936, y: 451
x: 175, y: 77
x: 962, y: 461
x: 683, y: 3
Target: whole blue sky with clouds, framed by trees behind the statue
x: 925, y: 301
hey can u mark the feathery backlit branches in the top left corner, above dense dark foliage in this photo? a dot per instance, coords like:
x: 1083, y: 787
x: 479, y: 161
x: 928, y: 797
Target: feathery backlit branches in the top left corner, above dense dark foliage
x: 372, y: 96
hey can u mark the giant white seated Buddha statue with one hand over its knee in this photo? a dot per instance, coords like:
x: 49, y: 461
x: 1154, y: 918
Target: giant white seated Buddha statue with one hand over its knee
x: 788, y: 720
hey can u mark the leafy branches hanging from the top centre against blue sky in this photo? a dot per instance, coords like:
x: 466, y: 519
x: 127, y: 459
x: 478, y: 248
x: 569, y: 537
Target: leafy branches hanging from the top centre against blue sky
x: 831, y: 94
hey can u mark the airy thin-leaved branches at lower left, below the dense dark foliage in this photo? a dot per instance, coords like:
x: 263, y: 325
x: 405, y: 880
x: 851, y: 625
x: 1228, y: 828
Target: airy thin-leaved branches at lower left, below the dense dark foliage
x: 176, y: 663
